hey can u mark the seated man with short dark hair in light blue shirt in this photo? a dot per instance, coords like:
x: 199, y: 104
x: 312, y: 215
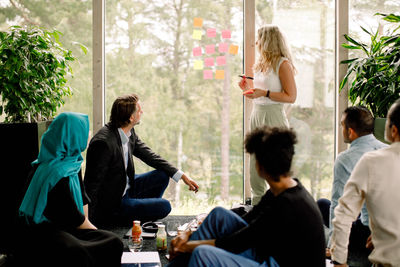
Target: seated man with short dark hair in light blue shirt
x: 357, y: 128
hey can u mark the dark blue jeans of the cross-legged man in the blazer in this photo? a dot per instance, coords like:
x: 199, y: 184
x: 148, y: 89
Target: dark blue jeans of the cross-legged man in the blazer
x: 143, y: 202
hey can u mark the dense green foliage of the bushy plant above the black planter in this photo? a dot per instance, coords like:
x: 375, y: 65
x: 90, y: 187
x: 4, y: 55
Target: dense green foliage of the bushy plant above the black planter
x: 33, y: 73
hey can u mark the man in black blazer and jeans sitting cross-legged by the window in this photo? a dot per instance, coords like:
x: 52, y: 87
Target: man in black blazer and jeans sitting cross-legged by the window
x: 116, y: 192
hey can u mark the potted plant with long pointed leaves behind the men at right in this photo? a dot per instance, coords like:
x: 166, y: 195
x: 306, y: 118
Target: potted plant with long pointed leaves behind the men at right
x: 374, y: 78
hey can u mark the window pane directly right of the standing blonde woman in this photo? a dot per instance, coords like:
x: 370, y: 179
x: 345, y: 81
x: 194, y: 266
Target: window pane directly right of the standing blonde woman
x: 309, y: 27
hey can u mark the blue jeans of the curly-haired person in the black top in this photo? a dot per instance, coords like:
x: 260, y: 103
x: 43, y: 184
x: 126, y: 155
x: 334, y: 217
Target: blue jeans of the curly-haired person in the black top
x: 220, y: 222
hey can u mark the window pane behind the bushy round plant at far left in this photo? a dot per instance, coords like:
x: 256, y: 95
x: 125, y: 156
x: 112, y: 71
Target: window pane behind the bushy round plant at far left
x: 73, y: 19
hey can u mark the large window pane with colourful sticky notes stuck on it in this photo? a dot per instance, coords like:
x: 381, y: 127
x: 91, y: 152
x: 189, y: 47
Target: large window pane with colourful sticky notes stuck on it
x: 196, y: 123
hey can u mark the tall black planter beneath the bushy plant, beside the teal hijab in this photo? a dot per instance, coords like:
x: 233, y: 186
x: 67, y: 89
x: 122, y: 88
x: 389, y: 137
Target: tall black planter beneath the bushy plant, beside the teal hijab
x: 19, y: 144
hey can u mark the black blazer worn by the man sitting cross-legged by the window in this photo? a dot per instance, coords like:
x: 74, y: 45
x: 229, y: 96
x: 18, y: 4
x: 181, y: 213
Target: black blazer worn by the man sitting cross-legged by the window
x: 105, y: 175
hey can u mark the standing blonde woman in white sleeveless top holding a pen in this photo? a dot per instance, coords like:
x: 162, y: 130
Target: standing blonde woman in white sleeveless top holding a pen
x: 274, y: 85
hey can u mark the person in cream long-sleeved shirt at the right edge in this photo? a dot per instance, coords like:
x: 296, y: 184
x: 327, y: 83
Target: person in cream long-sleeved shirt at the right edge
x: 375, y: 181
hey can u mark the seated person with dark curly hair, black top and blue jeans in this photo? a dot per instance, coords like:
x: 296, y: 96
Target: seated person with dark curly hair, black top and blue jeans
x: 284, y: 228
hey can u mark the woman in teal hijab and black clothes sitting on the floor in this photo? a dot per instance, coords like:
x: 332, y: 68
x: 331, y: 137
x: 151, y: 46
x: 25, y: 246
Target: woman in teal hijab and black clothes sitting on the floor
x: 53, y: 206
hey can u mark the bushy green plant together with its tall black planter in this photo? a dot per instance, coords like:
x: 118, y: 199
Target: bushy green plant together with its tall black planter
x: 33, y: 82
